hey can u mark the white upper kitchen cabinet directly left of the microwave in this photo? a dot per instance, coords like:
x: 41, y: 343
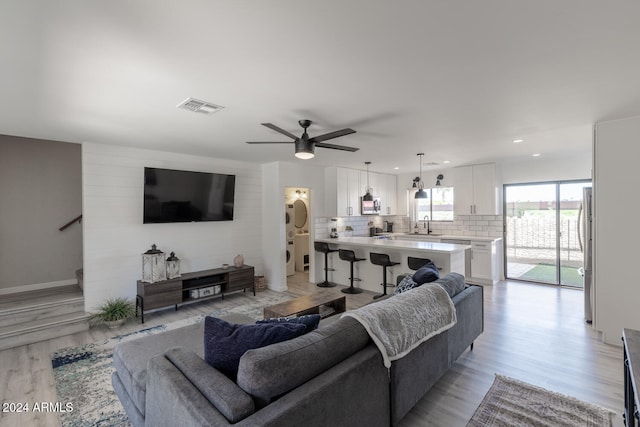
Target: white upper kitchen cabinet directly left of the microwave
x: 343, y: 191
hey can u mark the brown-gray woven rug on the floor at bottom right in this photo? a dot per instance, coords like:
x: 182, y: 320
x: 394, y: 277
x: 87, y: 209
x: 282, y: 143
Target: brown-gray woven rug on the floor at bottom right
x: 510, y: 402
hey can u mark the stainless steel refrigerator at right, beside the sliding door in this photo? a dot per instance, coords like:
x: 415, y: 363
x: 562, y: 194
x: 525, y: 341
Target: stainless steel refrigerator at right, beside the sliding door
x: 585, y: 238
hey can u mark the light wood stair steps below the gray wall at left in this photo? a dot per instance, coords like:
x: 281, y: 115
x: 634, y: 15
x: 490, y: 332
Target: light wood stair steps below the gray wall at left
x: 33, y: 316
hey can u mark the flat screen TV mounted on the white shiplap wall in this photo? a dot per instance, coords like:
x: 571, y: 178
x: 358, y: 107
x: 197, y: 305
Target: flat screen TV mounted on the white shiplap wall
x: 184, y: 196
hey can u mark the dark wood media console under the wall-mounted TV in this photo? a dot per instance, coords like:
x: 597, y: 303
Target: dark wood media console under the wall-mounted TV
x: 211, y: 283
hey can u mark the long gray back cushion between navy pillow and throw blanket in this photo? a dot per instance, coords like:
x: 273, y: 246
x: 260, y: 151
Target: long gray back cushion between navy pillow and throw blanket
x: 260, y: 370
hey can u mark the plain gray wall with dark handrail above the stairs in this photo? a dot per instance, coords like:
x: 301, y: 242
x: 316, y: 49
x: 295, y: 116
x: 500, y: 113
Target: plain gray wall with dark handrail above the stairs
x: 40, y: 190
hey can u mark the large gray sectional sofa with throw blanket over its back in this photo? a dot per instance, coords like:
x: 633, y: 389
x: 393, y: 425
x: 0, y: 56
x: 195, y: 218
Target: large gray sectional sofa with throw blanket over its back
x: 331, y: 376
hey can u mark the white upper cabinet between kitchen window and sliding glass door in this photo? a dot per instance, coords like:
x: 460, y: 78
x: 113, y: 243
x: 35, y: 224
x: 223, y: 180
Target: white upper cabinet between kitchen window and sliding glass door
x: 475, y: 190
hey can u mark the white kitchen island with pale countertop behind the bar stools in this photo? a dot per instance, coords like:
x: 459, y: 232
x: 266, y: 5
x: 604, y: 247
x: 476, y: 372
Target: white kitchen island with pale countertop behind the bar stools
x: 447, y: 257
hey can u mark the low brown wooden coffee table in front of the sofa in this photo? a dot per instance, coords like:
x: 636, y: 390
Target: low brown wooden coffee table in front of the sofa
x: 323, y: 303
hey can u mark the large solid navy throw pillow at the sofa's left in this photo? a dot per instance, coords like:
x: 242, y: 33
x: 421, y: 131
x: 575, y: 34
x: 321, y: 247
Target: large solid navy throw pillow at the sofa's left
x: 225, y: 343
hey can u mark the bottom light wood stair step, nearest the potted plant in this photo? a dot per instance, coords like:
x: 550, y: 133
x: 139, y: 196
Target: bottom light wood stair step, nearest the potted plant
x: 43, y: 329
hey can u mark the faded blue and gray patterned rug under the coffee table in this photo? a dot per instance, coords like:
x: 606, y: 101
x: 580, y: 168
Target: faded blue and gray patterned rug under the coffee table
x: 83, y: 374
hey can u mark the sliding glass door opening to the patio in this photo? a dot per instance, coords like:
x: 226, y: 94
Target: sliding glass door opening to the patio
x: 541, y: 223
